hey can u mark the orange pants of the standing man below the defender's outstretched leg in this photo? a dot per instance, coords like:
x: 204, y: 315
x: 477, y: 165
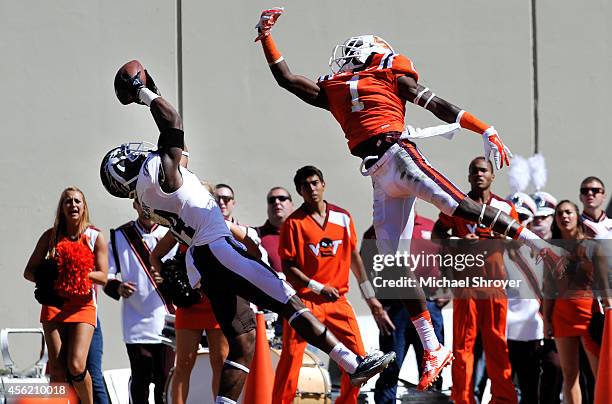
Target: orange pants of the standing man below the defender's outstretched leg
x: 487, y: 316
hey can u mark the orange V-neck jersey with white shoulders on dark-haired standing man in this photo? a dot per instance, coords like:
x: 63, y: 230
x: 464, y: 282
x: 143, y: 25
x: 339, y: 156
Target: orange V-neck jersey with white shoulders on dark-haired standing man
x: 322, y: 253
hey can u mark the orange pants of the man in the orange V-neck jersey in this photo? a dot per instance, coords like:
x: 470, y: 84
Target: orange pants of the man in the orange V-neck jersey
x: 340, y: 319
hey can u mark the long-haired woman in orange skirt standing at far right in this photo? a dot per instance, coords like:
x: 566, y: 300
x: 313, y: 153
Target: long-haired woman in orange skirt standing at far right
x: 569, y: 302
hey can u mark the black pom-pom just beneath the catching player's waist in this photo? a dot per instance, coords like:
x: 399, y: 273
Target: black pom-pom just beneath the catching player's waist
x: 176, y: 283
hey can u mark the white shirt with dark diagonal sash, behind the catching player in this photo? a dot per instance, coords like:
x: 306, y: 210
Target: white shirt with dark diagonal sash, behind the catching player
x: 143, y: 313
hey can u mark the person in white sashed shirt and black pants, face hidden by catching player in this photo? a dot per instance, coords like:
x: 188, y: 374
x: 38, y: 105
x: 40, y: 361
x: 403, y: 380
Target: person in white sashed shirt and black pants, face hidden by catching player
x: 144, y: 306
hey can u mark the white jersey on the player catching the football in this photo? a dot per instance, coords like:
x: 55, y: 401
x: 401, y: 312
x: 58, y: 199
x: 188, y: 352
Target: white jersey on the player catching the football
x: 191, y: 211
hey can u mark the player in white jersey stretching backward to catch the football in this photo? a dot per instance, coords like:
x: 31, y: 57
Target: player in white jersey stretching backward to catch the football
x: 173, y: 195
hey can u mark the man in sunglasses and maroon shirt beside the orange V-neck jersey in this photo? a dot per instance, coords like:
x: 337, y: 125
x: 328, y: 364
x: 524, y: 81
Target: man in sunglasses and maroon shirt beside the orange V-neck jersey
x: 280, y: 206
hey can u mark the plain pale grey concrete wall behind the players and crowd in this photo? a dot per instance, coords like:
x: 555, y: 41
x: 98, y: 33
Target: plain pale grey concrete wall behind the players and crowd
x: 60, y: 114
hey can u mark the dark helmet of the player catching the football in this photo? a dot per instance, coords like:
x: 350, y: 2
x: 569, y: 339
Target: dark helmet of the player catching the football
x: 120, y: 168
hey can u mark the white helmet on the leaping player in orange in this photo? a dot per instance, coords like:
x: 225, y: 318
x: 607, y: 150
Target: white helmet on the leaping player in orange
x: 355, y: 51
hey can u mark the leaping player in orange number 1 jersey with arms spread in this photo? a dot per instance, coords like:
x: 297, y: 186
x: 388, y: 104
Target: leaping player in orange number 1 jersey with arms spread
x: 366, y: 93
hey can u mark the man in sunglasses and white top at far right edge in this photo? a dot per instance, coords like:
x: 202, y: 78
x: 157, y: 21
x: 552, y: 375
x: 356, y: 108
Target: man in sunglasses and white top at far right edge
x: 593, y: 196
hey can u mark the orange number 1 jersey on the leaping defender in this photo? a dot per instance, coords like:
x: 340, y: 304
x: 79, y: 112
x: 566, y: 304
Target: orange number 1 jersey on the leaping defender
x: 367, y: 103
